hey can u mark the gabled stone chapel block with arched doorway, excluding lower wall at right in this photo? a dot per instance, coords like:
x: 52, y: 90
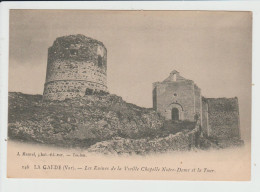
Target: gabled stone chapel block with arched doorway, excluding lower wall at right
x: 179, y: 94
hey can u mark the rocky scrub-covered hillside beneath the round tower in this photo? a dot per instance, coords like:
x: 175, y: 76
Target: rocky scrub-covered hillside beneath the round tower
x: 82, y: 122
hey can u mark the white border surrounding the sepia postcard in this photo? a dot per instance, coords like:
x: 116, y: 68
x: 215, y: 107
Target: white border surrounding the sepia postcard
x: 38, y: 185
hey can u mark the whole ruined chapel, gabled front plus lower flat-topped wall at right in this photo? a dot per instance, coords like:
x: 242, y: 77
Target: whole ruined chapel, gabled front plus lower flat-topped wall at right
x: 177, y: 98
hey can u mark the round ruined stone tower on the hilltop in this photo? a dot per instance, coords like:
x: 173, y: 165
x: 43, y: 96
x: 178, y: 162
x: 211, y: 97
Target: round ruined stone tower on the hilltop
x: 77, y: 65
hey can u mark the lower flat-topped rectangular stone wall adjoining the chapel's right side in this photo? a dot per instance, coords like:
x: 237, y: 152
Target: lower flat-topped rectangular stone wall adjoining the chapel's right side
x: 223, y: 117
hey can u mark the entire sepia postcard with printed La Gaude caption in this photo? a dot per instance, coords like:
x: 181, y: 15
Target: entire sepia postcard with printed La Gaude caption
x: 143, y: 95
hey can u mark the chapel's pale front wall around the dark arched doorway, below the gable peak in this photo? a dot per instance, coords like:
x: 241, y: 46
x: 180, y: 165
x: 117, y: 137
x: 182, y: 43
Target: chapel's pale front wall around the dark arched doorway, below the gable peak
x: 176, y: 94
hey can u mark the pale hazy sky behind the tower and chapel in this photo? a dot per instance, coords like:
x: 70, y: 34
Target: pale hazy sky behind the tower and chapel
x: 212, y: 48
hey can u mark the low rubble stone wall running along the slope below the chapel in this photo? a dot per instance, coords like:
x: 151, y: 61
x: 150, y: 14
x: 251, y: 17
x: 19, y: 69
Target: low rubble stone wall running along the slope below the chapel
x: 181, y: 141
